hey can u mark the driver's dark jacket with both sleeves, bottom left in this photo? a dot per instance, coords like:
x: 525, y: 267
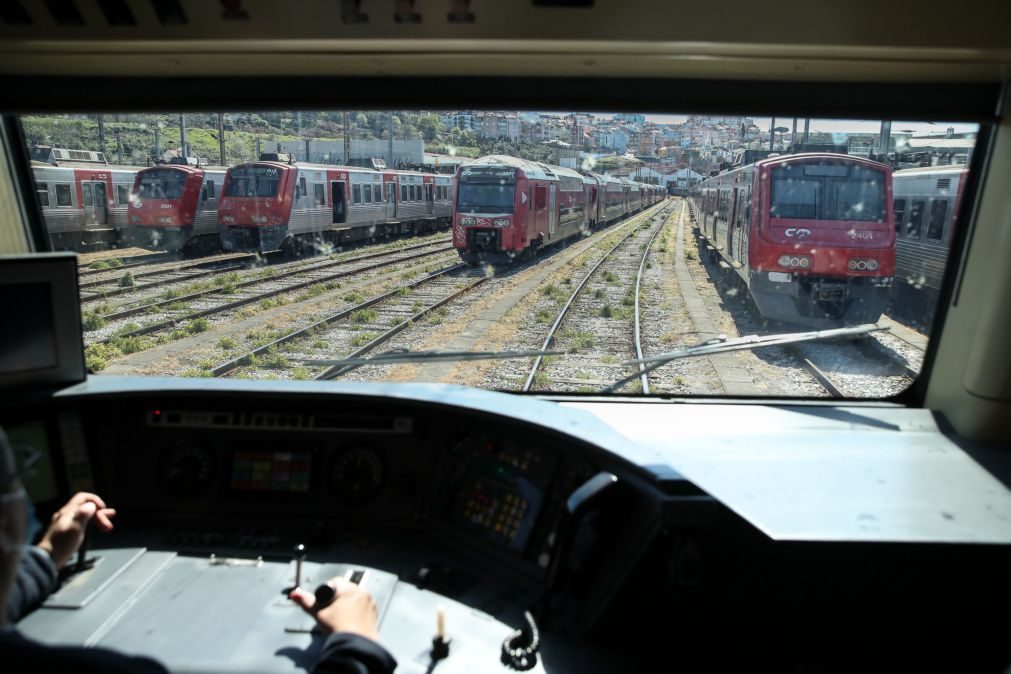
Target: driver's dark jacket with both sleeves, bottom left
x: 343, y: 653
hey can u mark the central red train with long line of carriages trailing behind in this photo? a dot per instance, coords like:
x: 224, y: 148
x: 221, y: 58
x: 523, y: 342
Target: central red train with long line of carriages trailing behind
x: 508, y: 208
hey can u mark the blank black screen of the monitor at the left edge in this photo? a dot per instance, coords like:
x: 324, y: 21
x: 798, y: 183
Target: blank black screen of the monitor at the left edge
x: 32, y: 344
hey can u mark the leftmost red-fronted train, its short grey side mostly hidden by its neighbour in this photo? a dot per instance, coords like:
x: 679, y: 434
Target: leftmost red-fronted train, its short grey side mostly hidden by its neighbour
x: 175, y: 209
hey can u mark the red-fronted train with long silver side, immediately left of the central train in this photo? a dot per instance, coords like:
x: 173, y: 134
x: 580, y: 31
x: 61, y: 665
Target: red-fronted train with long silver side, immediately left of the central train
x: 275, y: 204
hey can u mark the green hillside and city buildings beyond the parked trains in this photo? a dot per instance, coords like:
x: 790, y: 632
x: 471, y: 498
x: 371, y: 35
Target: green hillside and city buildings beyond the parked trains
x: 676, y: 155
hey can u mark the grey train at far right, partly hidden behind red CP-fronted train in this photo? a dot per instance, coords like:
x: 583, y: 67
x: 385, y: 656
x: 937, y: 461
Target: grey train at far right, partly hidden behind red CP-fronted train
x: 927, y: 204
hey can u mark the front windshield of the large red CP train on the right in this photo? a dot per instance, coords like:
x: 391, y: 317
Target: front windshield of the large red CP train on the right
x: 829, y: 192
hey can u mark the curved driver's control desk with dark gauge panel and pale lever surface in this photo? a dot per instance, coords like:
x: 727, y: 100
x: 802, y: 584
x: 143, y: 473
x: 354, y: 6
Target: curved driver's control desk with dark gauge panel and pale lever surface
x: 431, y: 510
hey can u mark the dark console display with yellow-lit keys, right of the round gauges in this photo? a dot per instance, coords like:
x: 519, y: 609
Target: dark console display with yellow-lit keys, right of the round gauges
x: 503, y: 495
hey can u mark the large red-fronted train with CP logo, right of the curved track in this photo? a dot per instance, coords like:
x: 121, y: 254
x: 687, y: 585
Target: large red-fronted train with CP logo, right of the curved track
x: 810, y: 236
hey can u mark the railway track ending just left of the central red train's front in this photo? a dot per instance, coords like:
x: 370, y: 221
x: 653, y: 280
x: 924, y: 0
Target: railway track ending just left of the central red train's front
x: 263, y: 286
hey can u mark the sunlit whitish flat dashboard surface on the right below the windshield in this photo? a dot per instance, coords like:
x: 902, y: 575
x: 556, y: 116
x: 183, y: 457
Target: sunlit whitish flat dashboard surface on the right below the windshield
x: 824, y: 473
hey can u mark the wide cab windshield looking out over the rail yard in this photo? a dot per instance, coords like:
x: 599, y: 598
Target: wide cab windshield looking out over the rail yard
x: 600, y: 238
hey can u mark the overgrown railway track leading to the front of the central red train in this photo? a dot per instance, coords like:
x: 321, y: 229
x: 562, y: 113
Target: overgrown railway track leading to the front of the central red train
x: 365, y: 326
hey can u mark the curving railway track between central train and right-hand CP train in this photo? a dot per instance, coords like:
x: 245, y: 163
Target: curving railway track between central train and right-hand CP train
x: 592, y: 320
